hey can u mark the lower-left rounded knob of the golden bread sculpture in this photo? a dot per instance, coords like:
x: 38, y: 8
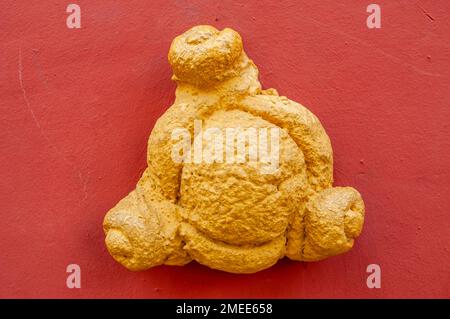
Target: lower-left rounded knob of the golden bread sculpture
x: 142, y: 232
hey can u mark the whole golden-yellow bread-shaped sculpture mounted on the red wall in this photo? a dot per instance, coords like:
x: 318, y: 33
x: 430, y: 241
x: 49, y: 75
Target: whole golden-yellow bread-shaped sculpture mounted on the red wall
x: 232, y: 216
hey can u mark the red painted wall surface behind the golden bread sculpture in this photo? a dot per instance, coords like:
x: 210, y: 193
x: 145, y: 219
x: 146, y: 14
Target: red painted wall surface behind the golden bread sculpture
x: 77, y: 107
